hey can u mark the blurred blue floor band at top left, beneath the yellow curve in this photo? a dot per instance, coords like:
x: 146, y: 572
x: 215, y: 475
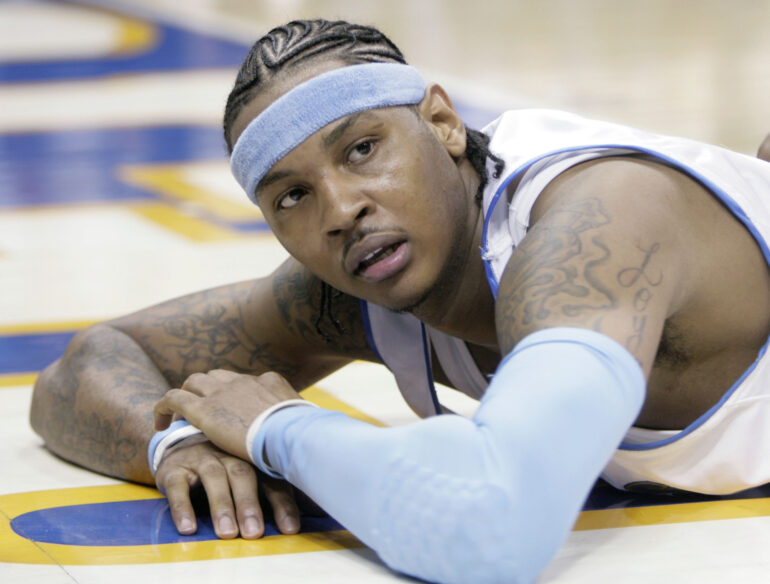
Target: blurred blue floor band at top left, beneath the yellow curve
x: 176, y: 49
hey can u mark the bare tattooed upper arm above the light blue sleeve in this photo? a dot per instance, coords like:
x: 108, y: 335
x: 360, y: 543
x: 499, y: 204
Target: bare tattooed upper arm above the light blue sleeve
x: 607, y: 252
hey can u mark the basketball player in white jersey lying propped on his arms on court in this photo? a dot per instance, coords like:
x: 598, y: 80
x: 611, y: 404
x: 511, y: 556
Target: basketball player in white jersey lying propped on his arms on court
x: 603, y: 291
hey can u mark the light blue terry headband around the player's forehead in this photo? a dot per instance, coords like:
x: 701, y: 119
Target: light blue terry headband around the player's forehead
x: 299, y: 113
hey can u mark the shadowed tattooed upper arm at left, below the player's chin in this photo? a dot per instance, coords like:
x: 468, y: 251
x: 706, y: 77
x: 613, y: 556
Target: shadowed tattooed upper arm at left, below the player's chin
x: 275, y: 323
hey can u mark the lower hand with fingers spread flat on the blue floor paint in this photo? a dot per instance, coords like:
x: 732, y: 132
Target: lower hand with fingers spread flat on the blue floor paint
x: 231, y: 486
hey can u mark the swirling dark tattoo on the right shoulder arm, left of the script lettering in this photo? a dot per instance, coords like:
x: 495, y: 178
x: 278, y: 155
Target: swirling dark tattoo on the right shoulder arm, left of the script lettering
x: 554, y: 270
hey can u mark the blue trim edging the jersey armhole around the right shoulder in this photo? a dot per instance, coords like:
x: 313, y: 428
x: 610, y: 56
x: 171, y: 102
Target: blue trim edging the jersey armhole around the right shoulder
x: 734, y: 208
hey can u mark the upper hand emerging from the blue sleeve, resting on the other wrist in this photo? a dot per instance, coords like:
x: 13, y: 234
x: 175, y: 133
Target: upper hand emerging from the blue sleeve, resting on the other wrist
x: 223, y: 404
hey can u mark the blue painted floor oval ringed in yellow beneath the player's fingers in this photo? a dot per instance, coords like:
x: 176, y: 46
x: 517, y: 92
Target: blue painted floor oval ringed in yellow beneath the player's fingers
x: 145, y: 522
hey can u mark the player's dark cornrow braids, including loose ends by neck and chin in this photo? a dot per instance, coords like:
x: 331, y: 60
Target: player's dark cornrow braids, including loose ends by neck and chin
x: 300, y: 41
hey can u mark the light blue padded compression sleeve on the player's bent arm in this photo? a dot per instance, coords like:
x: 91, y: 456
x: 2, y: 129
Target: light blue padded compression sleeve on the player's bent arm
x: 488, y: 499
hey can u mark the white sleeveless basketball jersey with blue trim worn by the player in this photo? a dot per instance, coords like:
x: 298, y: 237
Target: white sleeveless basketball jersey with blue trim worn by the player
x: 728, y: 448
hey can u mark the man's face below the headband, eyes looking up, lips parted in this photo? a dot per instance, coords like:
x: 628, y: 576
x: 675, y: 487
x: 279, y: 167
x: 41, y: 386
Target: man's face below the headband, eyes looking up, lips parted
x: 374, y: 205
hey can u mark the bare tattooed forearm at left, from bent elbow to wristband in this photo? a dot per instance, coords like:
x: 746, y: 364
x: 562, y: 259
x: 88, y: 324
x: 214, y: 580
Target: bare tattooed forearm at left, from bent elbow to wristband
x: 93, y: 407
